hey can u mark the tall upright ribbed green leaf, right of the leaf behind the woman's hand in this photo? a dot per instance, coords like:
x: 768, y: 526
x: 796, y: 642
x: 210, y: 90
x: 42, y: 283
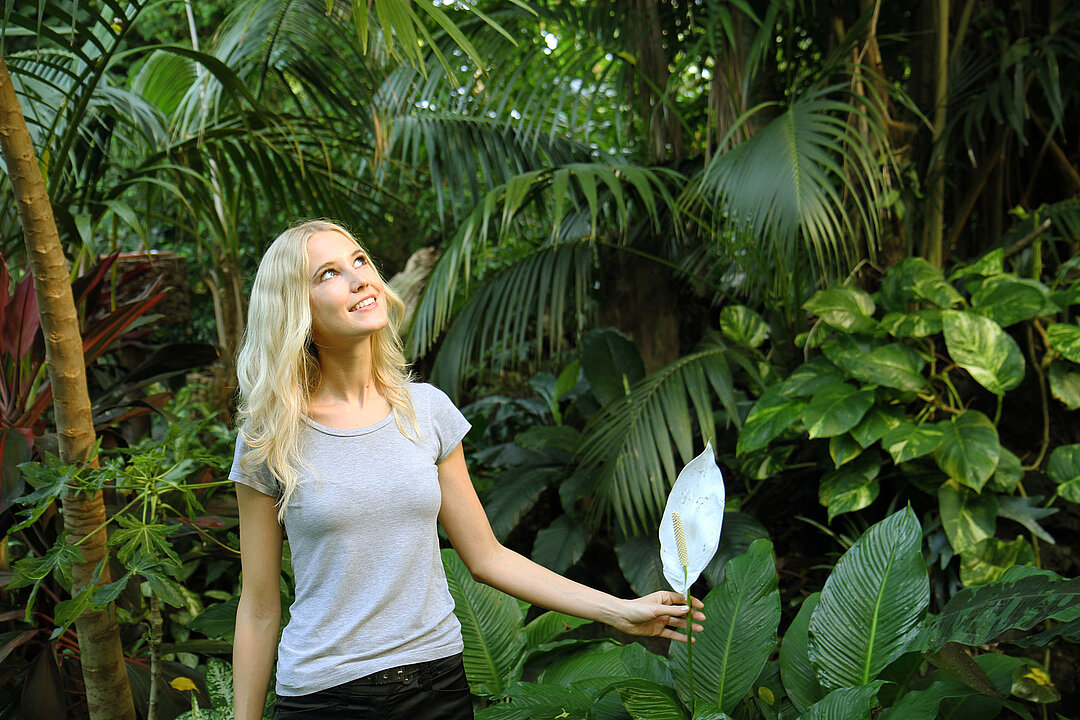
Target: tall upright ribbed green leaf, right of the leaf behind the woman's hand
x: 871, y: 605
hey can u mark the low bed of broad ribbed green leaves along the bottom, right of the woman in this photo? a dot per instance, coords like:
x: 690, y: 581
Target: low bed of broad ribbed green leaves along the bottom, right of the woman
x: 854, y: 648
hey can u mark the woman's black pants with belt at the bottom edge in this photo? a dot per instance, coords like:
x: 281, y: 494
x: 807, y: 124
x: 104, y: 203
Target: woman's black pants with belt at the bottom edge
x: 437, y: 690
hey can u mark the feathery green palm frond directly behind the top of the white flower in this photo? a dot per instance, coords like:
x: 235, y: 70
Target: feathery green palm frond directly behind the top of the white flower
x: 627, y: 450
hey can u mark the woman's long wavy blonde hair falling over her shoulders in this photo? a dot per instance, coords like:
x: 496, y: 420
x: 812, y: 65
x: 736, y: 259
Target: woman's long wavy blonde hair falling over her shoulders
x: 278, y: 364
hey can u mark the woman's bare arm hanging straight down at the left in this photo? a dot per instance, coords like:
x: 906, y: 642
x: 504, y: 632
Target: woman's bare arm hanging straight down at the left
x: 259, y: 616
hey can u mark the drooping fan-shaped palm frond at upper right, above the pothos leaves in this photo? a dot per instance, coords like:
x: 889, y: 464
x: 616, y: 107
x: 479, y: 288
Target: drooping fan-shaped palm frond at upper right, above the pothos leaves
x: 793, y: 182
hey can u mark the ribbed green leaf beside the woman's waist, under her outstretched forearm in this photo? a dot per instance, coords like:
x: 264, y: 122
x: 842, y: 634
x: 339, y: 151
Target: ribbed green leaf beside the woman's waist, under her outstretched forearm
x: 491, y: 628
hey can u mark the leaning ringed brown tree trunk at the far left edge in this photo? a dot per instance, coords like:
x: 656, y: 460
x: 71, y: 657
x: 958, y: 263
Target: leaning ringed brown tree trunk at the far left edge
x: 109, y: 695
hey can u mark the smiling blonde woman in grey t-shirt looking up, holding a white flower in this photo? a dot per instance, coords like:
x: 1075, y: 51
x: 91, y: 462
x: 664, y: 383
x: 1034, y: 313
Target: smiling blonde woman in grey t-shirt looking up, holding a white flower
x: 358, y: 465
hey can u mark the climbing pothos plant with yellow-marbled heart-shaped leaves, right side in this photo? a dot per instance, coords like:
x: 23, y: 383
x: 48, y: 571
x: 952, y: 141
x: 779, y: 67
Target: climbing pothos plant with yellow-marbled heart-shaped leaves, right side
x: 916, y: 383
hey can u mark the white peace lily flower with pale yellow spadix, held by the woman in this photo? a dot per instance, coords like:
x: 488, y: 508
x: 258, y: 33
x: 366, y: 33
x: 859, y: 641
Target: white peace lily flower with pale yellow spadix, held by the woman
x: 691, y: 528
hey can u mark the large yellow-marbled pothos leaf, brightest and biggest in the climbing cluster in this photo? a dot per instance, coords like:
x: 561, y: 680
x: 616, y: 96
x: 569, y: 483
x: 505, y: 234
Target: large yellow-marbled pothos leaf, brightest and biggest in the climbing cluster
x: 983, y: 349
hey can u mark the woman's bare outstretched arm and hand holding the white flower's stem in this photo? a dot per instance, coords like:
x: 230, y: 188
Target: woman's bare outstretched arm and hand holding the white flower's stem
x: 466, y: 524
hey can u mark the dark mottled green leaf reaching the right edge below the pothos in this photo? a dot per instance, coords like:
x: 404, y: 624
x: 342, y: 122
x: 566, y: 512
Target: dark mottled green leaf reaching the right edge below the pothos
x: 1020, y: 601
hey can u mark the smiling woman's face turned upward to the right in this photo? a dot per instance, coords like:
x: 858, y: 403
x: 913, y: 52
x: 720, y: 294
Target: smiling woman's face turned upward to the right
x: 347, y: 298
